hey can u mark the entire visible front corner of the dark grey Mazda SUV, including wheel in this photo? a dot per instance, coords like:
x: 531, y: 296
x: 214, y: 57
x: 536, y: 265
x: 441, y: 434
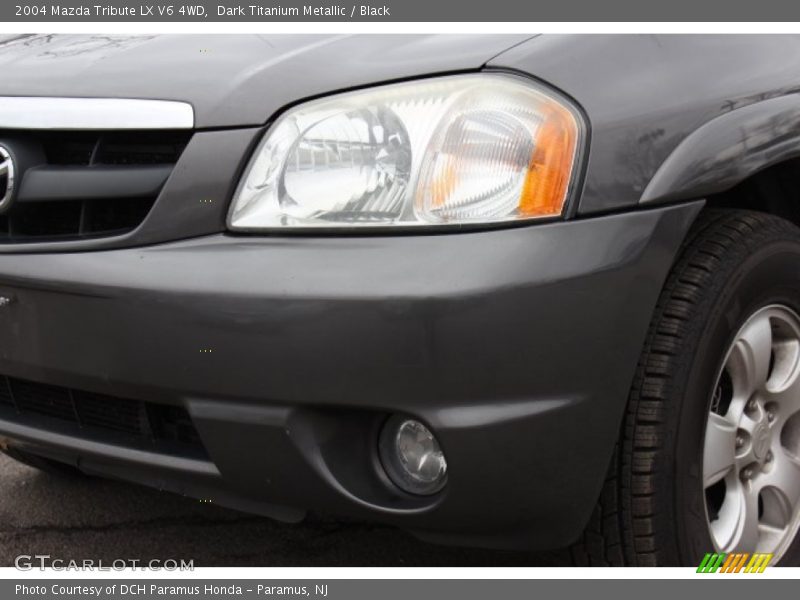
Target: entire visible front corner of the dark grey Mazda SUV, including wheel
x: 504, y: 291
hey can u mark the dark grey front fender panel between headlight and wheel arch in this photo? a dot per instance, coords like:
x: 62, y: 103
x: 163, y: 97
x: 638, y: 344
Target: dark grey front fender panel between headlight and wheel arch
x: 645, y: 94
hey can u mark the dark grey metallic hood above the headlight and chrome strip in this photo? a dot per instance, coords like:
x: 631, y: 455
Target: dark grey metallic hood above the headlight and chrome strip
x: 231, y: 80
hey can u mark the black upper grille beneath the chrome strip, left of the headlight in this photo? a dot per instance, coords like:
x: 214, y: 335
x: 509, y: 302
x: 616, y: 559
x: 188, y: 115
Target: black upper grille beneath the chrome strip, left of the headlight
x: 80, y: 184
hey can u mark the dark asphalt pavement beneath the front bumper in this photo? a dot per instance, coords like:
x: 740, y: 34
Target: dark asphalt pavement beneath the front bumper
x: 79, y: 518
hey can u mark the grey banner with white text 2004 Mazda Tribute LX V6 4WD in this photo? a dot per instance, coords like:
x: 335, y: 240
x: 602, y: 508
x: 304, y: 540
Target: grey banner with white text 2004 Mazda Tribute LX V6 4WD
x: 33, y: 11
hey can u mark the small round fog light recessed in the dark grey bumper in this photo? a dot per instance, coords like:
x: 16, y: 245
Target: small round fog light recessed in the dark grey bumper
x: 412, y: 457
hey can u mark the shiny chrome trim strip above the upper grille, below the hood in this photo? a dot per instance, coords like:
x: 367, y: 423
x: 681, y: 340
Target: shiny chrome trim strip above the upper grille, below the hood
x: 24, y: 112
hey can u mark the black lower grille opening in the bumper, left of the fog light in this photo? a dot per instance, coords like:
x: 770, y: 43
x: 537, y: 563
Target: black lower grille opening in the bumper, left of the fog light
x: 125, y: 421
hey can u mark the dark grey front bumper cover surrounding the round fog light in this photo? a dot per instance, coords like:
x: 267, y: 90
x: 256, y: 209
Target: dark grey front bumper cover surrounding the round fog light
x: 517, y: 347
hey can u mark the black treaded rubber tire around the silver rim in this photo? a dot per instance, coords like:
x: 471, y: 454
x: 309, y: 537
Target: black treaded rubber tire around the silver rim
x: 654, y: 508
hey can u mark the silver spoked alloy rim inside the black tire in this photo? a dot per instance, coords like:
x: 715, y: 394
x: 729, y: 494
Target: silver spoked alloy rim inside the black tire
x: 751, y: 451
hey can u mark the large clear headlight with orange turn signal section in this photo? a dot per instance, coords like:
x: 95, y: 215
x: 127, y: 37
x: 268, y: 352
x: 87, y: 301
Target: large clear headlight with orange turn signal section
x: 453, y: 150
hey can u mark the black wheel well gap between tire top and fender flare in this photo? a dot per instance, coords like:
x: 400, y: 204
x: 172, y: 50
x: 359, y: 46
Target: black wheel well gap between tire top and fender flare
x: 775, y: 190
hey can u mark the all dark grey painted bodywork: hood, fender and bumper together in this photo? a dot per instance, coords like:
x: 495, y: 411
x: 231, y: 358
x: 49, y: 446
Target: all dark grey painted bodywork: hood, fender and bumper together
x: 517, y: 346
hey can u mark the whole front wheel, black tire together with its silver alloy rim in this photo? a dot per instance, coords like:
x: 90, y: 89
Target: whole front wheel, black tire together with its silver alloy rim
x: 709, y: 453
